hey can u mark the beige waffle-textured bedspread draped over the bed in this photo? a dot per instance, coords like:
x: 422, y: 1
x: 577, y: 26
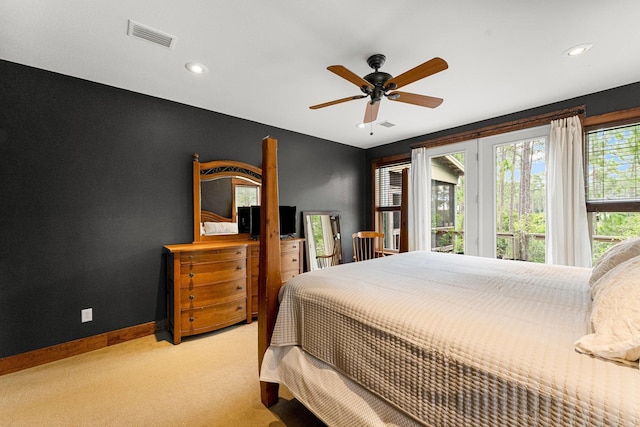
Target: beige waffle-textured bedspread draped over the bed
x: 456, y: 340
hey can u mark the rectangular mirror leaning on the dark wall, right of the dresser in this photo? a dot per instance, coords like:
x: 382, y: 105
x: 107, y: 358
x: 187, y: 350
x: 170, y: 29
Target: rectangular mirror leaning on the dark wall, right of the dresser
x: 323, y: 239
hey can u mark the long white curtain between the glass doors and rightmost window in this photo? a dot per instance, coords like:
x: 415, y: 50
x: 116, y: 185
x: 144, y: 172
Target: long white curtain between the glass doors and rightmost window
x: 567, y: 237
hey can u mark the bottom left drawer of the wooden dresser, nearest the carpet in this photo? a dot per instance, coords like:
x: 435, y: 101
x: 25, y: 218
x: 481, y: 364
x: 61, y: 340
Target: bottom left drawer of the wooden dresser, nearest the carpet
x: 213, y: 317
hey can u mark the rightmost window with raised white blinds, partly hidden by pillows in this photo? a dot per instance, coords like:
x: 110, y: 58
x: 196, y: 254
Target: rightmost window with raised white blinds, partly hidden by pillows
x: 613, y: 184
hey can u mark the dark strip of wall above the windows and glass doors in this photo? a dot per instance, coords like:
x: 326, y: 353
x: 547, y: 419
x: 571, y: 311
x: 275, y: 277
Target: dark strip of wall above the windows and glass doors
x: 616, y: 99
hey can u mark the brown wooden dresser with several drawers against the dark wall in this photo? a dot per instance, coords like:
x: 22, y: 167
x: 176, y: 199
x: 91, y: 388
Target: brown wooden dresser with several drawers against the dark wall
x: 215, y: 284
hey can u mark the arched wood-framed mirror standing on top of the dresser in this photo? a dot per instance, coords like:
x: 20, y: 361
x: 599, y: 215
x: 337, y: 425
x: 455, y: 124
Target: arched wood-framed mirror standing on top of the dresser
x: 220, y: 187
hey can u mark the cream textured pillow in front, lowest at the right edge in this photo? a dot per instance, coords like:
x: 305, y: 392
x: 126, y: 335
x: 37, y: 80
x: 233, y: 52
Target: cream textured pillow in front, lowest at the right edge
x: 616, y: 316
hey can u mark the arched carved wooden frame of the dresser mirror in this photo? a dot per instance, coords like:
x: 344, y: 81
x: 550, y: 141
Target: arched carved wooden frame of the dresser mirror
x: 216, y: 169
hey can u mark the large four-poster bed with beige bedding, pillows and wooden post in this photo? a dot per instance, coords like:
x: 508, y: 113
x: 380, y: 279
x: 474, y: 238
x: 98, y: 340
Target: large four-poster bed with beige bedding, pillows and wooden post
x: 435, y: 339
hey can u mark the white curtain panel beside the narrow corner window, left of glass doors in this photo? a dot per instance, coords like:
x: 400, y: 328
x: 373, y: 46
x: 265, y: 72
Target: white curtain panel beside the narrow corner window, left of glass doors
x: 419, y: 197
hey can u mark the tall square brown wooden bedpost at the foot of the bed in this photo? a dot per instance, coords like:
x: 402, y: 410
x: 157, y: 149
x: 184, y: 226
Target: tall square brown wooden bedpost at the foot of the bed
x: 269, y: 279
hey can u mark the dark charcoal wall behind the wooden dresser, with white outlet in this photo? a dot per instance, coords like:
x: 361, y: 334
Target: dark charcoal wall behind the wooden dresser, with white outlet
x: 94, y: 180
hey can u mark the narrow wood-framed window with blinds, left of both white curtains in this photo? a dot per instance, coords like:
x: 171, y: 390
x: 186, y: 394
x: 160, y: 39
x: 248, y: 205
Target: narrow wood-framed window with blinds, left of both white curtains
x: 388, y: 195
